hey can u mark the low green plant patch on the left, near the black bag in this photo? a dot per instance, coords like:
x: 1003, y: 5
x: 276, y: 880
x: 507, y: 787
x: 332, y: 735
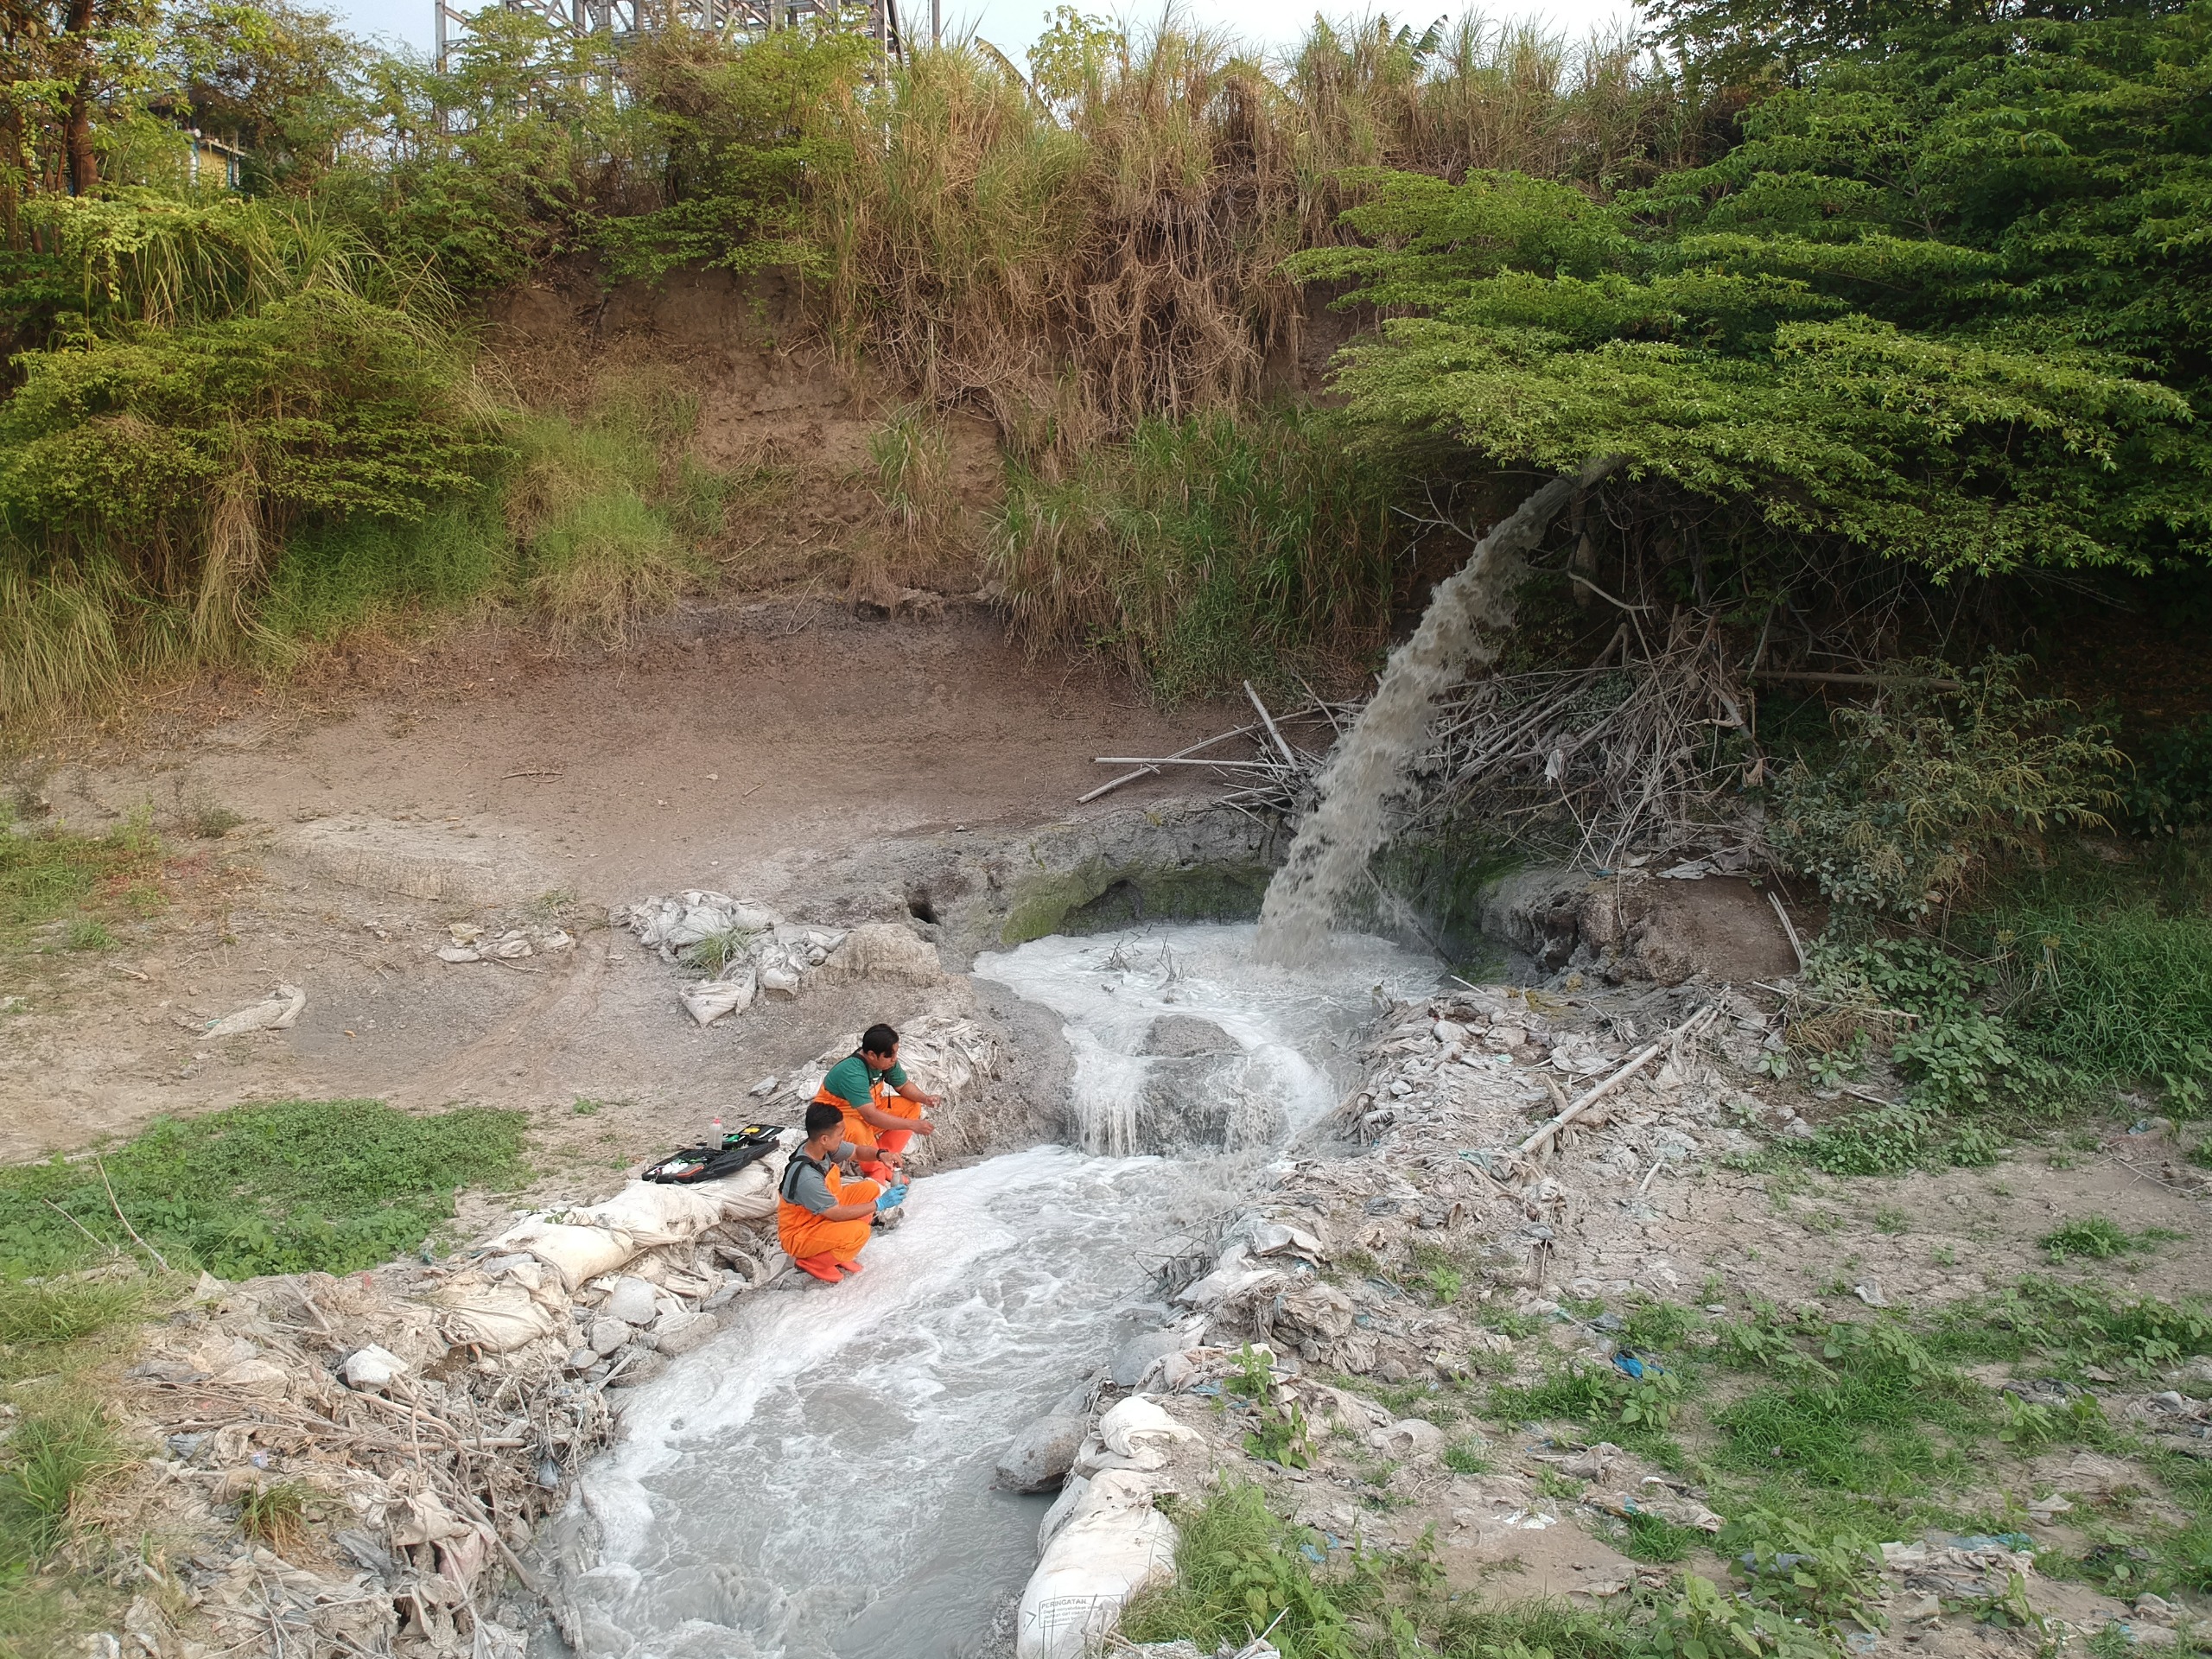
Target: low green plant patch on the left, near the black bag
x: 284, y: 1187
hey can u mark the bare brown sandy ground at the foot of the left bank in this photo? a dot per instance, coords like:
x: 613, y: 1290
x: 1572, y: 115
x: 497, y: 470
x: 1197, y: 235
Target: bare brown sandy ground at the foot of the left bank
x: 749, y: 751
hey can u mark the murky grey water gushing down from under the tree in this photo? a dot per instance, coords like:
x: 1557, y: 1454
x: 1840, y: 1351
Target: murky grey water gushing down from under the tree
x: 1350, y: 822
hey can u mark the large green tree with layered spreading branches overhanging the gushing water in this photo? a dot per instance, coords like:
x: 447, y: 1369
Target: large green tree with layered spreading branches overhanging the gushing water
x: 1945, y: 304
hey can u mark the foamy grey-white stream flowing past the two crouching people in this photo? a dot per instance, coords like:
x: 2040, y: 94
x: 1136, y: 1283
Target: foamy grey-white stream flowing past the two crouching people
x: 817, y: 1481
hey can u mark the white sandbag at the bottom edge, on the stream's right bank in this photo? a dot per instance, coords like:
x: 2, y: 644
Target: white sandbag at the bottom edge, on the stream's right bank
x: 1105, y: 1552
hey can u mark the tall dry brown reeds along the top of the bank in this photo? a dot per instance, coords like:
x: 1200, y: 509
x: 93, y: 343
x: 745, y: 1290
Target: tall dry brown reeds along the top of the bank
x: 1076, y: 269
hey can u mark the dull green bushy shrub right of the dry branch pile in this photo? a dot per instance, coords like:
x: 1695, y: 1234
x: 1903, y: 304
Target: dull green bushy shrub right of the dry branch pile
x: 1928, y: 784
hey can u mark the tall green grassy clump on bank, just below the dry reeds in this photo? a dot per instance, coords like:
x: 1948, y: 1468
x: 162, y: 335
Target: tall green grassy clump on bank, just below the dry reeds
x: 1204, y: 552
